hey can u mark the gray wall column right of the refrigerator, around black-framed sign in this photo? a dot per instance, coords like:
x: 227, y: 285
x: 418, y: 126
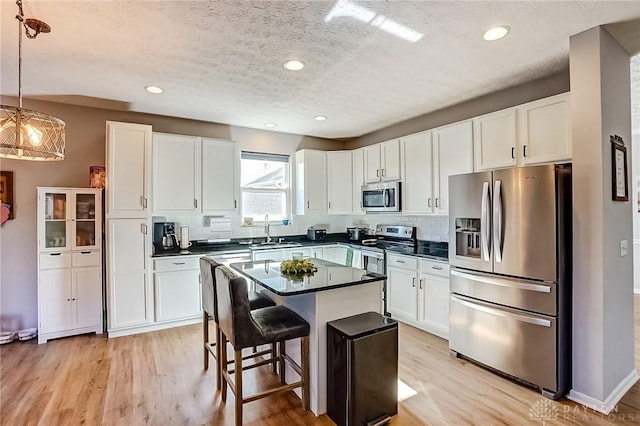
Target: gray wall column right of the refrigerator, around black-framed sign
x: 603, y: 336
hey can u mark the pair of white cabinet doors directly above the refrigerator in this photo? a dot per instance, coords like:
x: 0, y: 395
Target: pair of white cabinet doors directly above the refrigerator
x: 532, y: 133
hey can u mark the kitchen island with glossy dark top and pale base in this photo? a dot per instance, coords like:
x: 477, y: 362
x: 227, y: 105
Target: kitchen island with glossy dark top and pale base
x: 334, y: 291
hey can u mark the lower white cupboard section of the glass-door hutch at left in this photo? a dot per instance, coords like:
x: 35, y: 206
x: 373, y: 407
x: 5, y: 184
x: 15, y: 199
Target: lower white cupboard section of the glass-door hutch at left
x: 69, y: 296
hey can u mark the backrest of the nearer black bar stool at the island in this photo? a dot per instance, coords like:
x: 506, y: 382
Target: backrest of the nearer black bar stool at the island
x: 234, y: 314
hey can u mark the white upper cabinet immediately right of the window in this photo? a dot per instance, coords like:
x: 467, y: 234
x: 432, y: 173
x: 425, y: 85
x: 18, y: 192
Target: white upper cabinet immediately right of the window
x: 311, y: 182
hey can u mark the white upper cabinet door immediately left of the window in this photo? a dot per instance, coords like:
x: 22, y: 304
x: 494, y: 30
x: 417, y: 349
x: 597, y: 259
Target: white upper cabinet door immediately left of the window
x: 220, y: 177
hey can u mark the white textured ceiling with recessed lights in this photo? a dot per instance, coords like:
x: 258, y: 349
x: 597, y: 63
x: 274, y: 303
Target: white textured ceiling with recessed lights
x: 222, y: 61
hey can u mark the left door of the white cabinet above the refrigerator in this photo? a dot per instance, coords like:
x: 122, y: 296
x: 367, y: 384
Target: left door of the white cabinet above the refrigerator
x: 495, y: 140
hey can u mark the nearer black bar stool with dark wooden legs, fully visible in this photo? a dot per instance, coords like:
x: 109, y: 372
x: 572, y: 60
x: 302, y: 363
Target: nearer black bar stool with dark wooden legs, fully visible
x: 244, y: 328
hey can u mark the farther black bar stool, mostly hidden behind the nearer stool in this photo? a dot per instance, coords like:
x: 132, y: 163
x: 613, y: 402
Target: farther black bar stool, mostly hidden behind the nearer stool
x: 209, y: 308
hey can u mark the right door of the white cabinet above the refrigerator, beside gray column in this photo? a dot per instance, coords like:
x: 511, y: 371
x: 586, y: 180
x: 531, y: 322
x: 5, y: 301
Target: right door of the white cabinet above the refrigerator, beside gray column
x: 544, y: 130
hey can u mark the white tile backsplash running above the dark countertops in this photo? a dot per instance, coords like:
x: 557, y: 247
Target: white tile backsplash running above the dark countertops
x: 430, y: 228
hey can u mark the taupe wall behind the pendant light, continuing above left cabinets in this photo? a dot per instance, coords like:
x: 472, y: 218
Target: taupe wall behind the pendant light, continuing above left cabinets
x: 85, y: 147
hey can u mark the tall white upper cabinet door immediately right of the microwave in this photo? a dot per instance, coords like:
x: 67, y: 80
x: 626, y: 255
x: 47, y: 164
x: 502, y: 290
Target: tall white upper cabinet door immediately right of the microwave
x: 417, y: 195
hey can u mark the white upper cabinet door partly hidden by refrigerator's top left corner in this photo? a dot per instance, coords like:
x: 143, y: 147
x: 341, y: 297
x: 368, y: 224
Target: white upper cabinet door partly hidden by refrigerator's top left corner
x: 453, y: 154
